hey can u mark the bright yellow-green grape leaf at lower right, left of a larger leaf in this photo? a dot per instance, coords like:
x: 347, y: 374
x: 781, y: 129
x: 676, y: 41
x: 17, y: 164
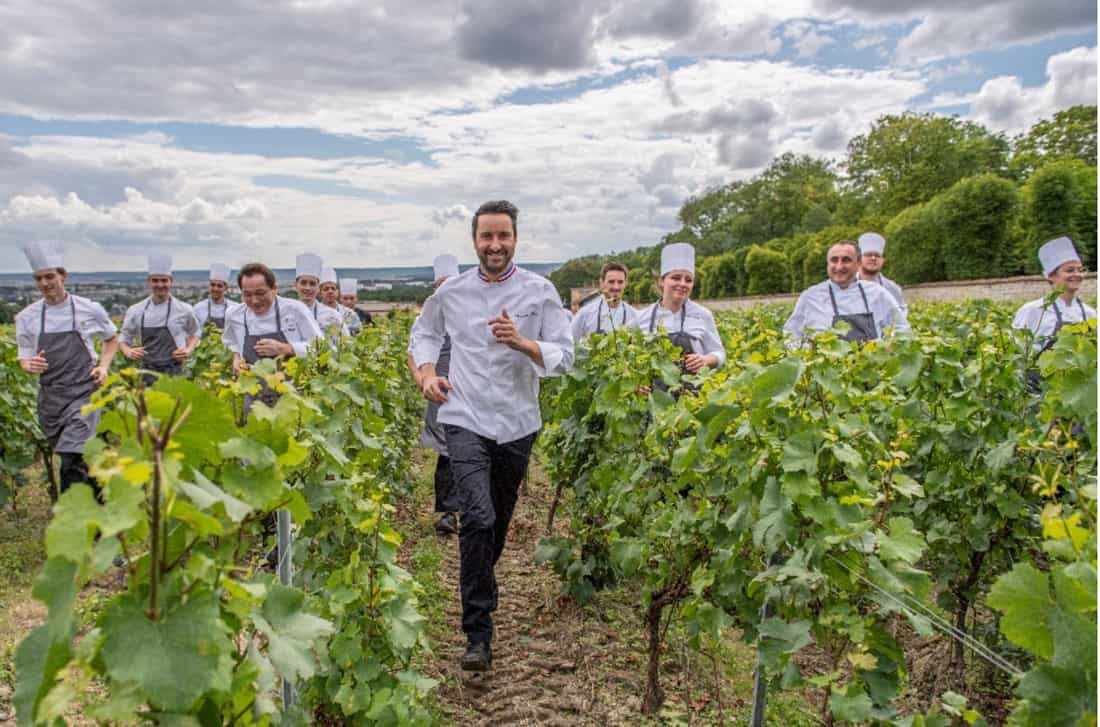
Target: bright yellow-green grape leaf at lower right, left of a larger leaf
x: 1024, y: 597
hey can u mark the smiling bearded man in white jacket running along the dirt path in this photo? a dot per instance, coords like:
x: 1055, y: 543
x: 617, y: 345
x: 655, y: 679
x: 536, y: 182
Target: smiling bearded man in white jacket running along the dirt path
x: 508, y: 329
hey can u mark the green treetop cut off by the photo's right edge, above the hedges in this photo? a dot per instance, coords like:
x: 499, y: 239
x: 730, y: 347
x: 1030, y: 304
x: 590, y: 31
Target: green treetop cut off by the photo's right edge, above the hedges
x: 1069, y: 135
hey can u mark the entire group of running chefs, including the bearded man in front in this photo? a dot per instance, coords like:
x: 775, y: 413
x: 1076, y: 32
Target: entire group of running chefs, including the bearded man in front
x: 478, y: 350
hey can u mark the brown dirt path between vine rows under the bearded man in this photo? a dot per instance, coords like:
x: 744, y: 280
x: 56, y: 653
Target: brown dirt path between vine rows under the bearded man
x: 553, y: 664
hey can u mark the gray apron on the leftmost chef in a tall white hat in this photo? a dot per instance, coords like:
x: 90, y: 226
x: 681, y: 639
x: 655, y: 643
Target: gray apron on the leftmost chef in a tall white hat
x: 65, y: 388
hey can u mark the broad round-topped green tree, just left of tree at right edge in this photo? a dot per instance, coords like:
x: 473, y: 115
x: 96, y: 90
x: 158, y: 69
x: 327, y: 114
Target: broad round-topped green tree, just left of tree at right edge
x: 909, y: 159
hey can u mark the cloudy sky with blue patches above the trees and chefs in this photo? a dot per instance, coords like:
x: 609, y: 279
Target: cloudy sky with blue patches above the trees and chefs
x: 238, y: 130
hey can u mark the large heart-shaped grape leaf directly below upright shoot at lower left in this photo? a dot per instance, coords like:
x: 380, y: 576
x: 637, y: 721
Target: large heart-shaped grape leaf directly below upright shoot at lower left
x: 174, y: 660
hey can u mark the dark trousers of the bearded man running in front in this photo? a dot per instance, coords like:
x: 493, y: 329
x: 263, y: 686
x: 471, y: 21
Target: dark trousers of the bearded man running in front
x: 487, y: 478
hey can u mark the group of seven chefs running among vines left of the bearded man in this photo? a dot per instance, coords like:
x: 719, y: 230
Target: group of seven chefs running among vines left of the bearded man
x: 57, y: 335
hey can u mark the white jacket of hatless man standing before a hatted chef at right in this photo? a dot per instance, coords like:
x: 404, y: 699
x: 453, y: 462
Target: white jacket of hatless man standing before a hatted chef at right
x: 815, y: 311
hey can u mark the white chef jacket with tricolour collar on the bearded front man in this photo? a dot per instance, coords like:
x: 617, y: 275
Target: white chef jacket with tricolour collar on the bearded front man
x: 496, y: 390
